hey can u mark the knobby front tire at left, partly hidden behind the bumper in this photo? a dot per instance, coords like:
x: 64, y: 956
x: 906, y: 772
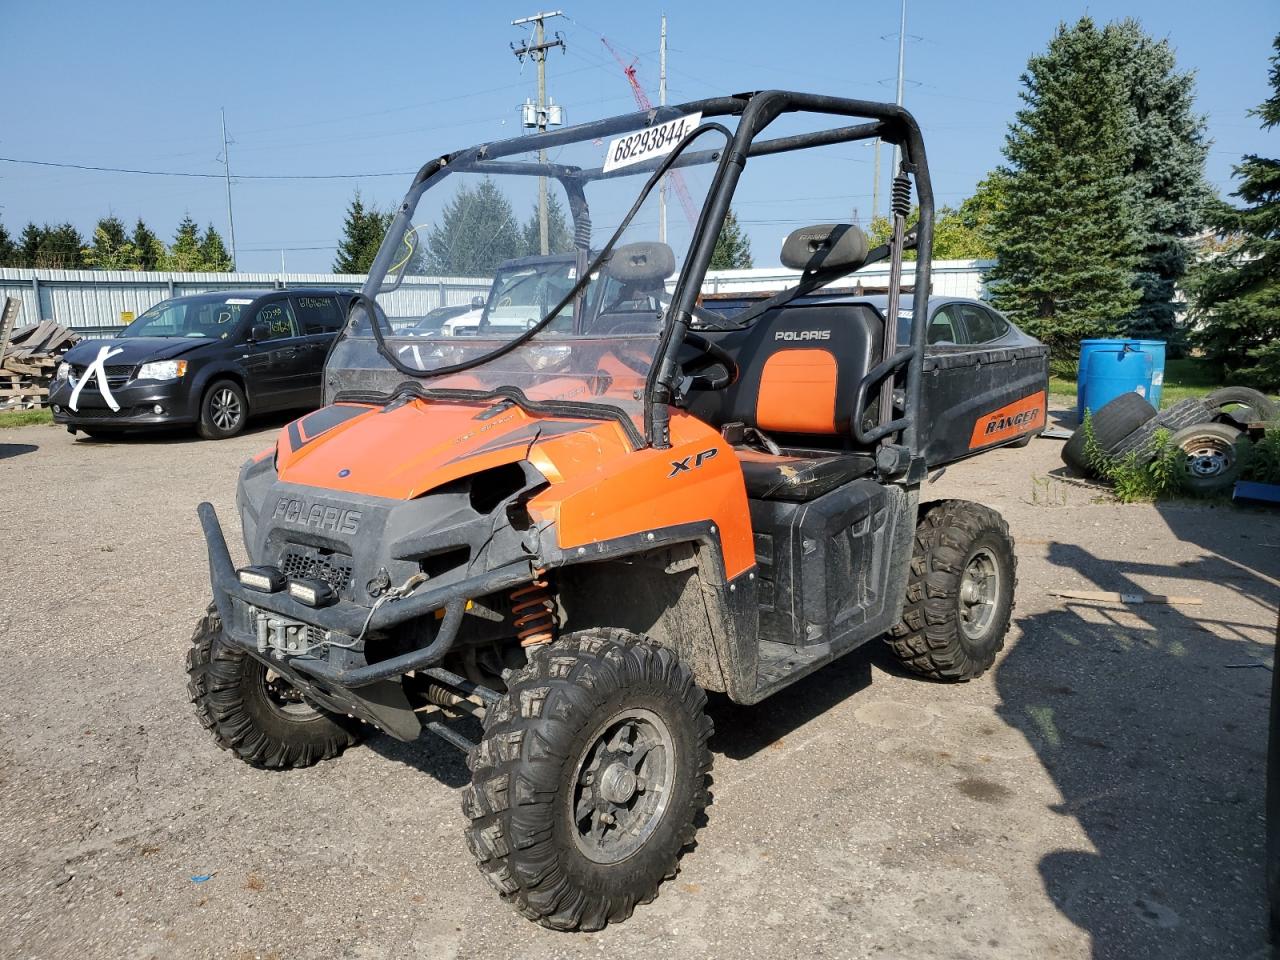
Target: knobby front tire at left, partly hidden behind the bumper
x: 220, y: 680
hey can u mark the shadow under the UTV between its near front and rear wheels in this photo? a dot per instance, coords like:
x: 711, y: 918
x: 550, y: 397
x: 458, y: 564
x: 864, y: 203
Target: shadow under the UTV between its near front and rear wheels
x: 744, y: 732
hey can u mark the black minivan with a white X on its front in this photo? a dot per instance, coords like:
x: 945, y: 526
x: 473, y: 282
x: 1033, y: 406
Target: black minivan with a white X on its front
x: 211, y: 360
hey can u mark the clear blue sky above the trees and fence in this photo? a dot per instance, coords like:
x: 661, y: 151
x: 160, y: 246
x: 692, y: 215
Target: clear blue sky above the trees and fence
x: 326, y: 88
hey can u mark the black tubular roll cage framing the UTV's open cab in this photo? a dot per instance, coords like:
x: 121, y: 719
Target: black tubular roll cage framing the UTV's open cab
x: 757, y: 112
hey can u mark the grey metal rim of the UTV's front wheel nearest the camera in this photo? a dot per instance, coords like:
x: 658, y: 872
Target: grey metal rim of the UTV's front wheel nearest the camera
x: 621, y: 785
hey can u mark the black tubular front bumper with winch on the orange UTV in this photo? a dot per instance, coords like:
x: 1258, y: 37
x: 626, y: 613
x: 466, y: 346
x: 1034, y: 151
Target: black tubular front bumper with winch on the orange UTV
x: 331, y: 668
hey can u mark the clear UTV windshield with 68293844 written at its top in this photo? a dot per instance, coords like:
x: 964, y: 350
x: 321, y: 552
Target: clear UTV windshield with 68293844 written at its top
x: 573, y: 271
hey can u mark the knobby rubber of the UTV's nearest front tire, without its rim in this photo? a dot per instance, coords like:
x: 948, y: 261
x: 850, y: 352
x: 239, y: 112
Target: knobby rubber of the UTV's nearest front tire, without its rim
x: 519, y: 828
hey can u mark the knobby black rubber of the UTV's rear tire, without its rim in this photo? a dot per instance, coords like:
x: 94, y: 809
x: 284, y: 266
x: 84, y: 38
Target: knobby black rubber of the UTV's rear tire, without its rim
x: 929, y: 639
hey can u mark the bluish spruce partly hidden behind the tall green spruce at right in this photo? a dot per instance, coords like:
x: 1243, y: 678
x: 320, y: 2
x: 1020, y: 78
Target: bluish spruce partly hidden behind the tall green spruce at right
x: 1168, y: 189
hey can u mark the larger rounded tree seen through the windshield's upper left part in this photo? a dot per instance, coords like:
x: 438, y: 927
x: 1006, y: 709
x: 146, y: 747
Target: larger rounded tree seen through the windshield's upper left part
x: 478, y: 231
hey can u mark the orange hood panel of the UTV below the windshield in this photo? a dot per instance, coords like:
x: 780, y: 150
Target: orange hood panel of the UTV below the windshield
x: 412, y: 447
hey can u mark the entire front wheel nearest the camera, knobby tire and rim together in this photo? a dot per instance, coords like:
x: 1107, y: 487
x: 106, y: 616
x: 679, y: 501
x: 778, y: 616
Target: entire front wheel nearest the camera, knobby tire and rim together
x: 589, y: 779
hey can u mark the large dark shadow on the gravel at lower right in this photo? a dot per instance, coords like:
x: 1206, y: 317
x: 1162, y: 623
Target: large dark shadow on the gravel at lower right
x: 1156, y: 738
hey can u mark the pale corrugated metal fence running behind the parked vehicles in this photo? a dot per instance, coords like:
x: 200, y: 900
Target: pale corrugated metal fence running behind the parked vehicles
x: 95, y: 299
